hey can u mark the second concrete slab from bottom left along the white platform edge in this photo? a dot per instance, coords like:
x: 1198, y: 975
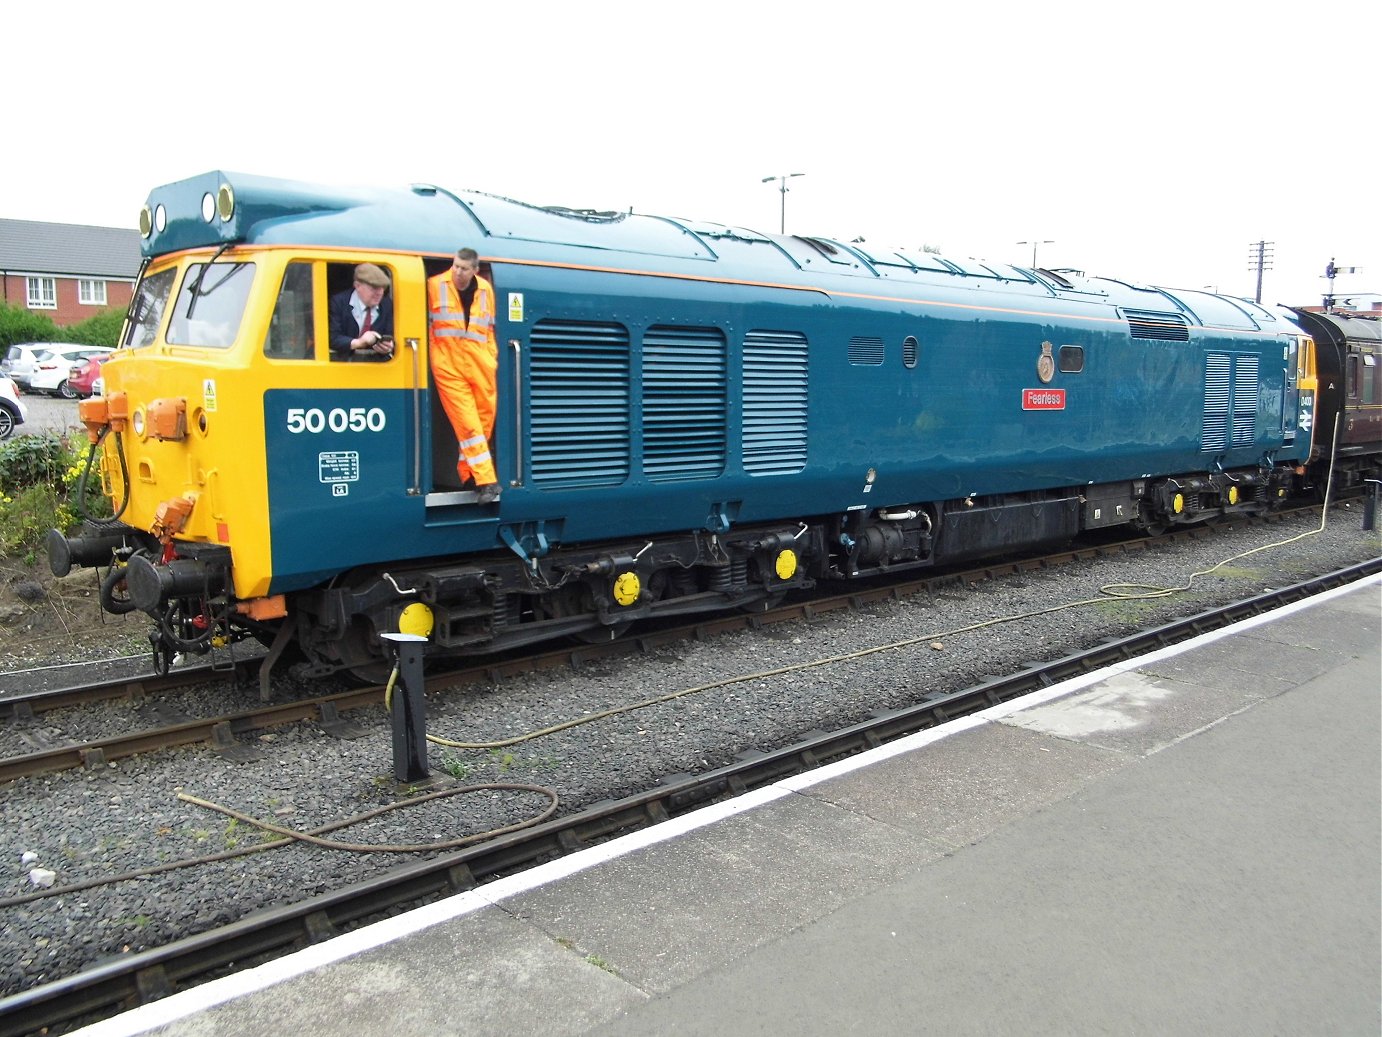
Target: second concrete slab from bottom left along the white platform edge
x: 671, y: 912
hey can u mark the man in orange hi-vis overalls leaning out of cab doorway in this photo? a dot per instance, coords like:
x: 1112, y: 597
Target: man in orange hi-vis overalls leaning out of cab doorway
x: 461, y: 312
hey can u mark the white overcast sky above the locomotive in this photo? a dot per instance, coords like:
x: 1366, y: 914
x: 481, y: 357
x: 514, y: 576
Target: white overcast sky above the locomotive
x: 1155, y: 143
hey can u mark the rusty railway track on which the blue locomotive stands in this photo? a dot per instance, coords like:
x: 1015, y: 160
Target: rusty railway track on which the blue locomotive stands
x: 227, y: 734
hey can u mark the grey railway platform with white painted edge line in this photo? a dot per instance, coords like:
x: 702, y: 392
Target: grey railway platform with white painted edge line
x: 1189, y: 843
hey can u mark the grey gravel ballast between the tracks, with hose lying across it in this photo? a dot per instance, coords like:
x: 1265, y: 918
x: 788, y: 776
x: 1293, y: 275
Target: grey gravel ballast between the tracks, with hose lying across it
x: 126, y: 816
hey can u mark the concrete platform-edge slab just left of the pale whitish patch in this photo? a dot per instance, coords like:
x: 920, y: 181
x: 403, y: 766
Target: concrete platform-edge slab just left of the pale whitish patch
x: 960, y: 790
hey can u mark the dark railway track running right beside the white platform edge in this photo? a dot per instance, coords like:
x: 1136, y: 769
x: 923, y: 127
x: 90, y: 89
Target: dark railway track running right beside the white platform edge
x: 150, y: 975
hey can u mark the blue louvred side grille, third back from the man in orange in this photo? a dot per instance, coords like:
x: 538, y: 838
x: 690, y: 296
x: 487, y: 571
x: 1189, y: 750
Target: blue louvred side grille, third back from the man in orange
x: 775, y: 403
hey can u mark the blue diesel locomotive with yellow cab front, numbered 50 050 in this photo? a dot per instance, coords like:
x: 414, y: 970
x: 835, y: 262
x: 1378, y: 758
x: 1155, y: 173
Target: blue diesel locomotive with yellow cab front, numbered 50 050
x: 692, y: 417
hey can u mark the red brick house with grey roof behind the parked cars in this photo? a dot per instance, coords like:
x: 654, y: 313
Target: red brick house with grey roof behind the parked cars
x: 67, y: 272
